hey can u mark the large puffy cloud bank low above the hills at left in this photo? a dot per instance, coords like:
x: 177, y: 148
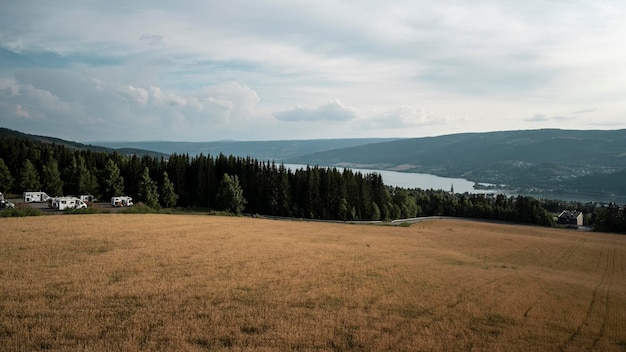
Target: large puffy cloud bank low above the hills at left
x: 100, y: 108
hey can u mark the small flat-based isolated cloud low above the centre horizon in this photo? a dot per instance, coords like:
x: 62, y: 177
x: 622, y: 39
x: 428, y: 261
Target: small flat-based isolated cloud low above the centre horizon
x: 334, y: 110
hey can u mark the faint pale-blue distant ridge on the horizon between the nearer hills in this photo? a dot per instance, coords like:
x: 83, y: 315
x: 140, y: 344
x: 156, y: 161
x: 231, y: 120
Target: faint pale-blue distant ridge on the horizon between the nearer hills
x: 262, y: 150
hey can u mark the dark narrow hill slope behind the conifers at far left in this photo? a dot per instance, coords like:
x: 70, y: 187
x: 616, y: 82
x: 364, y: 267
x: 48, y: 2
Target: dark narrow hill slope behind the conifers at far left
x: 7, y: 133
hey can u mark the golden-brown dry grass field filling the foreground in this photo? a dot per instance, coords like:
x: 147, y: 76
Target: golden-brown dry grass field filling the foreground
x: 119, y: 282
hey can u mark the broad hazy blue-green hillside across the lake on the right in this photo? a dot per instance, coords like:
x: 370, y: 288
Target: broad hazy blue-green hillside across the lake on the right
x: 548, y: 159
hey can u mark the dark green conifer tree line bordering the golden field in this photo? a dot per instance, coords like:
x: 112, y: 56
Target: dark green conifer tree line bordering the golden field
x: 238, y: 184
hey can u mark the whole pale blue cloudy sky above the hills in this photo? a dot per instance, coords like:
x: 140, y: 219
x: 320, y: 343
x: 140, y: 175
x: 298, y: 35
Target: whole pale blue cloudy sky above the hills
x: 283, y: 69
